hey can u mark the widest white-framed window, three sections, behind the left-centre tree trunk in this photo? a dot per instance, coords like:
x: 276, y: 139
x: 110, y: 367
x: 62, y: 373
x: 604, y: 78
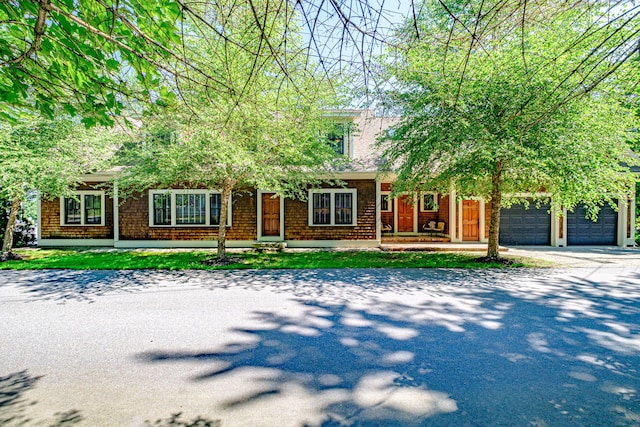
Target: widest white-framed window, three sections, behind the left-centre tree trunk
x: 186, y: 208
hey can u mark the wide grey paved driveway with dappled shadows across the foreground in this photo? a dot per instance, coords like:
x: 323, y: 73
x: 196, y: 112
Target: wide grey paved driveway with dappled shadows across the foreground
x: 544, y: 347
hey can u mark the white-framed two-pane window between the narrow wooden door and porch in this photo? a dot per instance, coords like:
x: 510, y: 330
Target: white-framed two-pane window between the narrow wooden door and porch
x: 333, y: 207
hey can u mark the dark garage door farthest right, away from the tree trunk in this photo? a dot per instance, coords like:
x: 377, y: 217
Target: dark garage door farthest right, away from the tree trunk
x: 583, y: 231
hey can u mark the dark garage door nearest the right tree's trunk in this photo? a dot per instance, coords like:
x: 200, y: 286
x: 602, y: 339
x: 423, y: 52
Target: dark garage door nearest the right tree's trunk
x: 520, y: 226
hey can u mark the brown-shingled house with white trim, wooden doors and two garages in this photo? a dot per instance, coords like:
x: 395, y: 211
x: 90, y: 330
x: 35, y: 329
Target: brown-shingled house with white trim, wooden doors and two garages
x: 361, y: 214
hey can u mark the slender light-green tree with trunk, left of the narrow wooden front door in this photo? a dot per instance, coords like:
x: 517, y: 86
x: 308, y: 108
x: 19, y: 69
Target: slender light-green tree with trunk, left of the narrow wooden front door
x: 259, y: 128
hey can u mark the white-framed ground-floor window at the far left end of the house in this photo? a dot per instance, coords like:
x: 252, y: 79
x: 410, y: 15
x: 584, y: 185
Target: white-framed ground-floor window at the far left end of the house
x: 85, y: 208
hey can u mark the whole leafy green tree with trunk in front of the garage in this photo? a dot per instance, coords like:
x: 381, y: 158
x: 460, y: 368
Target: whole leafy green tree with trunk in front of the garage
x: 498, y: 100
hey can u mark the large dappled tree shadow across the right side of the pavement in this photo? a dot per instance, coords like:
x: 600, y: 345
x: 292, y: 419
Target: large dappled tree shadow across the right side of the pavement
x: 452, y: 348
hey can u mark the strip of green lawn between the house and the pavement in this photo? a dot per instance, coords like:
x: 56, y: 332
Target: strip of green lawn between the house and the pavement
x: 113, y: 259
